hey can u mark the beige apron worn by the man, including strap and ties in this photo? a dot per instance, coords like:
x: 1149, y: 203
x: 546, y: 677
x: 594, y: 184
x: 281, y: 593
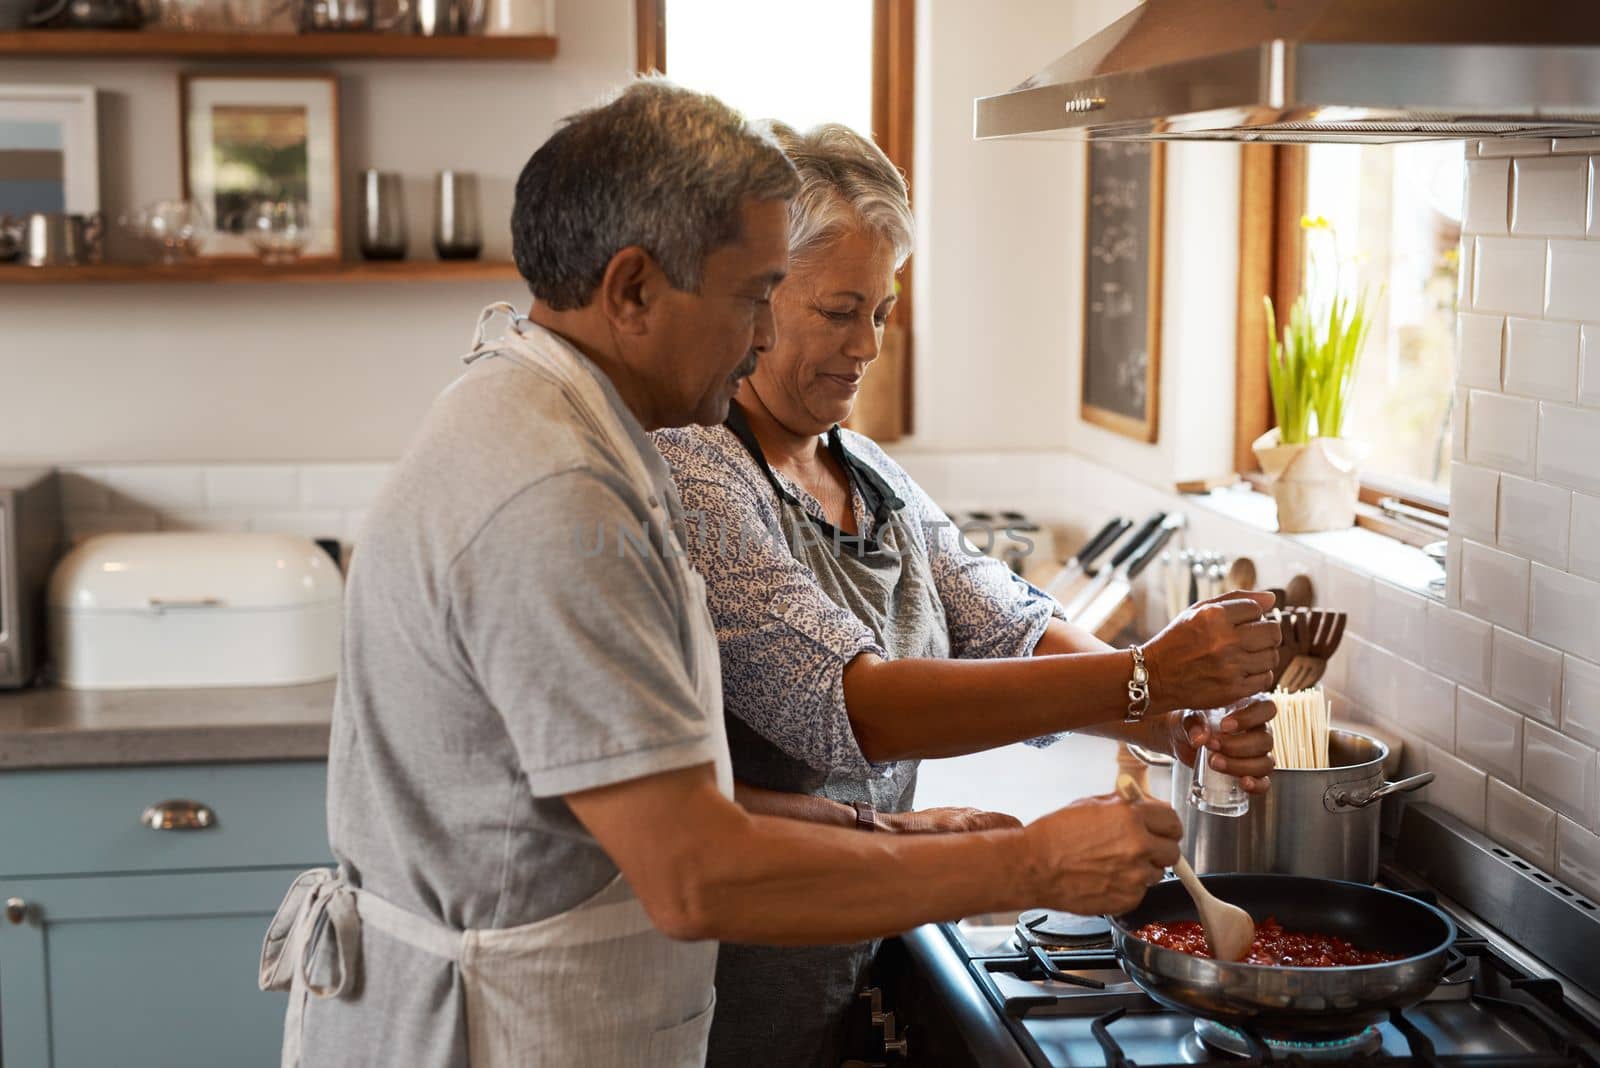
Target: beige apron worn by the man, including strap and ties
x: 594, y: 986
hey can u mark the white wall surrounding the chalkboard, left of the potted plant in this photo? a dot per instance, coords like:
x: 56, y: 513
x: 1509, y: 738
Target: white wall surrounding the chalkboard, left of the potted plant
x: 1001, y: 261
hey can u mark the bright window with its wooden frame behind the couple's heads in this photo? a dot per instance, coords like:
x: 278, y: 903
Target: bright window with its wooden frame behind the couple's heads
x: 764, y: 58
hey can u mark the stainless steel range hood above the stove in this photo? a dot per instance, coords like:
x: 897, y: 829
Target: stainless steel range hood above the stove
x: 1361, y: 71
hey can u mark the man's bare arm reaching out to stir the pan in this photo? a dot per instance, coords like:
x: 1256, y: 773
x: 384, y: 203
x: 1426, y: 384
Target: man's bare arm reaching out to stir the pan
x: 706, y: 869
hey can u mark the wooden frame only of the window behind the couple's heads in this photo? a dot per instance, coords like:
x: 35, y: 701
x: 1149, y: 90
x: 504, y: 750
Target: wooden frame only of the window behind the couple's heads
x: 894, y: 127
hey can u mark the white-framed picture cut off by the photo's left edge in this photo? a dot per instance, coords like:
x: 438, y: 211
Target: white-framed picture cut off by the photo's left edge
x: 49, y: 149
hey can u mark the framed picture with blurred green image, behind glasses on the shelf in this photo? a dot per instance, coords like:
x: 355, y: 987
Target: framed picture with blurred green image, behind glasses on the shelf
x: 255, y: 138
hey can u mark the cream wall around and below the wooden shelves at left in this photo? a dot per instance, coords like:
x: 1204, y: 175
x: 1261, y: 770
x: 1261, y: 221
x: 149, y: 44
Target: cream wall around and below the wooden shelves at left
x: 284, y: 372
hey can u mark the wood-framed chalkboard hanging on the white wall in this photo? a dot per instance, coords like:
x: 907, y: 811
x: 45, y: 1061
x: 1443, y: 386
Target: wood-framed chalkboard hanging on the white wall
x: 1122, y: 287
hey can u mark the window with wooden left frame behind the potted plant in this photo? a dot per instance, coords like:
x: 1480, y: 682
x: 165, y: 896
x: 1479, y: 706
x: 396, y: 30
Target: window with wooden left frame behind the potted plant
x: 1396, y: 212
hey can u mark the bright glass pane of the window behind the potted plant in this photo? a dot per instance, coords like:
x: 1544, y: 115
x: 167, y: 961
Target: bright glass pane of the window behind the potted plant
x: 1396, y: 223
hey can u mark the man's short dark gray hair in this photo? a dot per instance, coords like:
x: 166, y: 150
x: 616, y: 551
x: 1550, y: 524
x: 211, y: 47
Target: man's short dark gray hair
x: 658, y: 167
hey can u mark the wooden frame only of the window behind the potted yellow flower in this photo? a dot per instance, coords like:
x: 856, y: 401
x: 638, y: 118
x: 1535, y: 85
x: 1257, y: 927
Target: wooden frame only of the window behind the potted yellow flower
x: 1271, y: 261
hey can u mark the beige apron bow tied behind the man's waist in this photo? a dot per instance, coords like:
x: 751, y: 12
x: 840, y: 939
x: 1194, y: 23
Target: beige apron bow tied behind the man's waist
x: 318, y: 901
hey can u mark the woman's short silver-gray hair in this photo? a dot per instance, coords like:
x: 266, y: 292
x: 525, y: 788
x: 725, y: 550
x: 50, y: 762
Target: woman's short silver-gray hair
x: 846, y: 183
